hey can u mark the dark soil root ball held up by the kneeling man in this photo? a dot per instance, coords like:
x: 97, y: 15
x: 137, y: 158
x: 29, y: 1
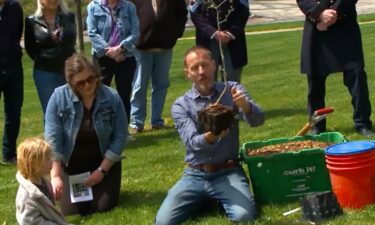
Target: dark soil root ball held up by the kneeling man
x: 216, y: 118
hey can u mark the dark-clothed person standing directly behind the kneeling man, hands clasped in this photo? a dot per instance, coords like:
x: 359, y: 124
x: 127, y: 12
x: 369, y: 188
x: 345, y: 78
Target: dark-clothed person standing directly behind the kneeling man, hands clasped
x: 232, y: 16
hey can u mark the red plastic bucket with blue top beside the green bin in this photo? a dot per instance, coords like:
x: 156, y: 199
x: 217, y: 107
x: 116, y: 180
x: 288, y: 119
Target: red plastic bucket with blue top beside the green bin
x: 351, y: 166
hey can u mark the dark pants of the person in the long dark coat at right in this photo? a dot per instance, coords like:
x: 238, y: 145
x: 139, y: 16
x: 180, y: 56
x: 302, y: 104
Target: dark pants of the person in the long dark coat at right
x: 356, y: 82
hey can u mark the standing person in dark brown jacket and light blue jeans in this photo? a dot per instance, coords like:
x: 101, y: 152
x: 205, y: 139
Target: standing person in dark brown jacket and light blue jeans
x: 162, y: 22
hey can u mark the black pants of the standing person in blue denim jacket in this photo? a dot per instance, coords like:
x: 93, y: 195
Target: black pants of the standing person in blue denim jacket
x: 124, y: 73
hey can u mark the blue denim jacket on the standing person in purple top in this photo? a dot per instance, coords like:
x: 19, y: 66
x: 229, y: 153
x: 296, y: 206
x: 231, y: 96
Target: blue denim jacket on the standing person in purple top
x: 99, y: 25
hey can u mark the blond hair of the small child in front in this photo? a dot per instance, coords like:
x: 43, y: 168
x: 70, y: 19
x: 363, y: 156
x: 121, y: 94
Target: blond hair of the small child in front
x: 30, y: 155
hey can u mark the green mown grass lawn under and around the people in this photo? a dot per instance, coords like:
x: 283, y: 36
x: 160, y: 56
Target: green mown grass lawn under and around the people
x: 154, y: 161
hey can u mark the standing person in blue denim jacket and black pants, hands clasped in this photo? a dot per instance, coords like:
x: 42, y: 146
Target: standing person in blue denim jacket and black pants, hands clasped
x: 113, y: 29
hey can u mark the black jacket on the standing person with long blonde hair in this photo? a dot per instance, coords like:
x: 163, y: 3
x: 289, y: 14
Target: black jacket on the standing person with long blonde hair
x: 49, y: 55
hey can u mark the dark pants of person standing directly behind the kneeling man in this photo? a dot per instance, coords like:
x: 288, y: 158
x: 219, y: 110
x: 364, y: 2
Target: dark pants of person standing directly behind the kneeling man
x: 232, y: 73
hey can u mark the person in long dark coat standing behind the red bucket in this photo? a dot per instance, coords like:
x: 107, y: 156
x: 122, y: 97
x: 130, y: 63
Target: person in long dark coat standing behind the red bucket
x: 332, y: 43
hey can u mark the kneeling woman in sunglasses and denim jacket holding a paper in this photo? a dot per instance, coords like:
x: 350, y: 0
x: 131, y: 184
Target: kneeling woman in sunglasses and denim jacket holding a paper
x: 86, y: 126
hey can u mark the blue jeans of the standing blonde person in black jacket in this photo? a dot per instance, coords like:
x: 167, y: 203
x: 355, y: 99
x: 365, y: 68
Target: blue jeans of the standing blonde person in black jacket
x: 45, y: 83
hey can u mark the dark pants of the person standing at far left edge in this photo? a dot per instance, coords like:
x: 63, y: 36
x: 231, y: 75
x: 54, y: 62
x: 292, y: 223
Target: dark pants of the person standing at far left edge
x: 11, y: 86
